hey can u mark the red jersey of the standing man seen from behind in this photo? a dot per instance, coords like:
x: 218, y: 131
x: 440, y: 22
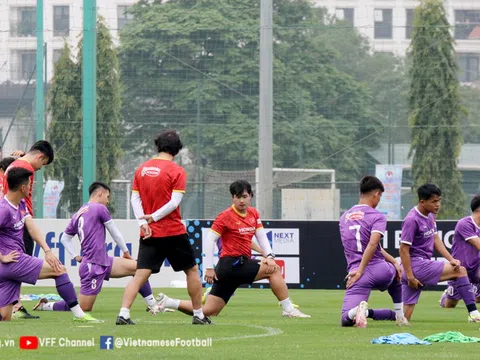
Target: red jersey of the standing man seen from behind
x: 155, y: 180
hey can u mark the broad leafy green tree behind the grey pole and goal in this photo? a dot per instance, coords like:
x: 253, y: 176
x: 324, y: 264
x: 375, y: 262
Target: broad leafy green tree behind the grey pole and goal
x: 193, y: 65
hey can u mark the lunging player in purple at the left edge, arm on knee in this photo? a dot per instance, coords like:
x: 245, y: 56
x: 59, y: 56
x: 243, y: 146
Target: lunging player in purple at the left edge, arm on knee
x: 16, y: 266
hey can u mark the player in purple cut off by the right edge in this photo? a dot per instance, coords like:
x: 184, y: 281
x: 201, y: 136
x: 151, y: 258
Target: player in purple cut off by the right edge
x: 466, y: 247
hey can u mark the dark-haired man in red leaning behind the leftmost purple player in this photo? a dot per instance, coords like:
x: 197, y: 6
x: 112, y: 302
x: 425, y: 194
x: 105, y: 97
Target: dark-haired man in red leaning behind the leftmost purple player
x: 39, y: 155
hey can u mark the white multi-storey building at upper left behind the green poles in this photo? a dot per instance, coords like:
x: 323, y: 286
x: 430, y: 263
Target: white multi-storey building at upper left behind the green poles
x: 63, y: 21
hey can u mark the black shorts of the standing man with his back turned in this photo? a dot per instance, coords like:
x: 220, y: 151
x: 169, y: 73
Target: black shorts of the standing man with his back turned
x: 176, y: 249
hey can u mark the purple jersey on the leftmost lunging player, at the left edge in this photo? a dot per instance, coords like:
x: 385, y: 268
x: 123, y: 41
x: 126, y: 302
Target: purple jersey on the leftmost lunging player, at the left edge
x: 12, y: 222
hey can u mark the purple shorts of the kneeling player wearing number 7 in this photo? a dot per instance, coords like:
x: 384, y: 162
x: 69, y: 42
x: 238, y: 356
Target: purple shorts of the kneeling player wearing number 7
x: 377, y: 276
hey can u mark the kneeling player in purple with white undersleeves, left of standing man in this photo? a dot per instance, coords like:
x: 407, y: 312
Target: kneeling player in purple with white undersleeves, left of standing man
x: 89, y: 223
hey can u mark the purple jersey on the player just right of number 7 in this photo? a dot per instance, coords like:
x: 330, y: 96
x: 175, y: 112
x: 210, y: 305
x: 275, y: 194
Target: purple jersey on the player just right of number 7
x: 418, y: 231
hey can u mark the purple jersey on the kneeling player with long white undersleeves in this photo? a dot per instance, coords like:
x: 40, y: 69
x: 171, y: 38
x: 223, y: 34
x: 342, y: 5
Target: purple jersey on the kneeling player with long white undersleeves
x: 89, y: 224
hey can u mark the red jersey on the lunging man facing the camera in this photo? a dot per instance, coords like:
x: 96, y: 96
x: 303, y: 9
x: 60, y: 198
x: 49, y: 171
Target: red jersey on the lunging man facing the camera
x: 237, y: 231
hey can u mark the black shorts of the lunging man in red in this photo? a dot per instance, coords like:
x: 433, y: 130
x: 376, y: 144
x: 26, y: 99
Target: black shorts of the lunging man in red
x: 232, y: 272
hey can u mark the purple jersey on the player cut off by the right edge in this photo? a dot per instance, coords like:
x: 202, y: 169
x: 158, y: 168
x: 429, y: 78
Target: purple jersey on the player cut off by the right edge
x: 462, y: 250
